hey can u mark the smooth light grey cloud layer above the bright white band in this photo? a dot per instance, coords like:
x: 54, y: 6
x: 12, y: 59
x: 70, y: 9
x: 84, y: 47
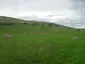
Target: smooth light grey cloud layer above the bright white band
x: 31, y: 5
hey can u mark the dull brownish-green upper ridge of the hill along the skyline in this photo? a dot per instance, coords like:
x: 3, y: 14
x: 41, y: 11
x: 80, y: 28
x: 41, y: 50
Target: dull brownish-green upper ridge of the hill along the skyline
x: 4, y: 20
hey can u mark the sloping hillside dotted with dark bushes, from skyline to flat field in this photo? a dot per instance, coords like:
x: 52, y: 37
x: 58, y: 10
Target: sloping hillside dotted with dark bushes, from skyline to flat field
x: 32, y: 25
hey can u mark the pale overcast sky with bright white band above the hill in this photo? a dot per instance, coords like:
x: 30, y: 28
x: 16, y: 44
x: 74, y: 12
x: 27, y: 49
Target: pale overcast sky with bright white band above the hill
x: 52, y: 10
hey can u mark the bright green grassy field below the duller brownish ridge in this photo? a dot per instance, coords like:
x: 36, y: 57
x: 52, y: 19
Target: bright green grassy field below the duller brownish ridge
x: 41, y: 45
